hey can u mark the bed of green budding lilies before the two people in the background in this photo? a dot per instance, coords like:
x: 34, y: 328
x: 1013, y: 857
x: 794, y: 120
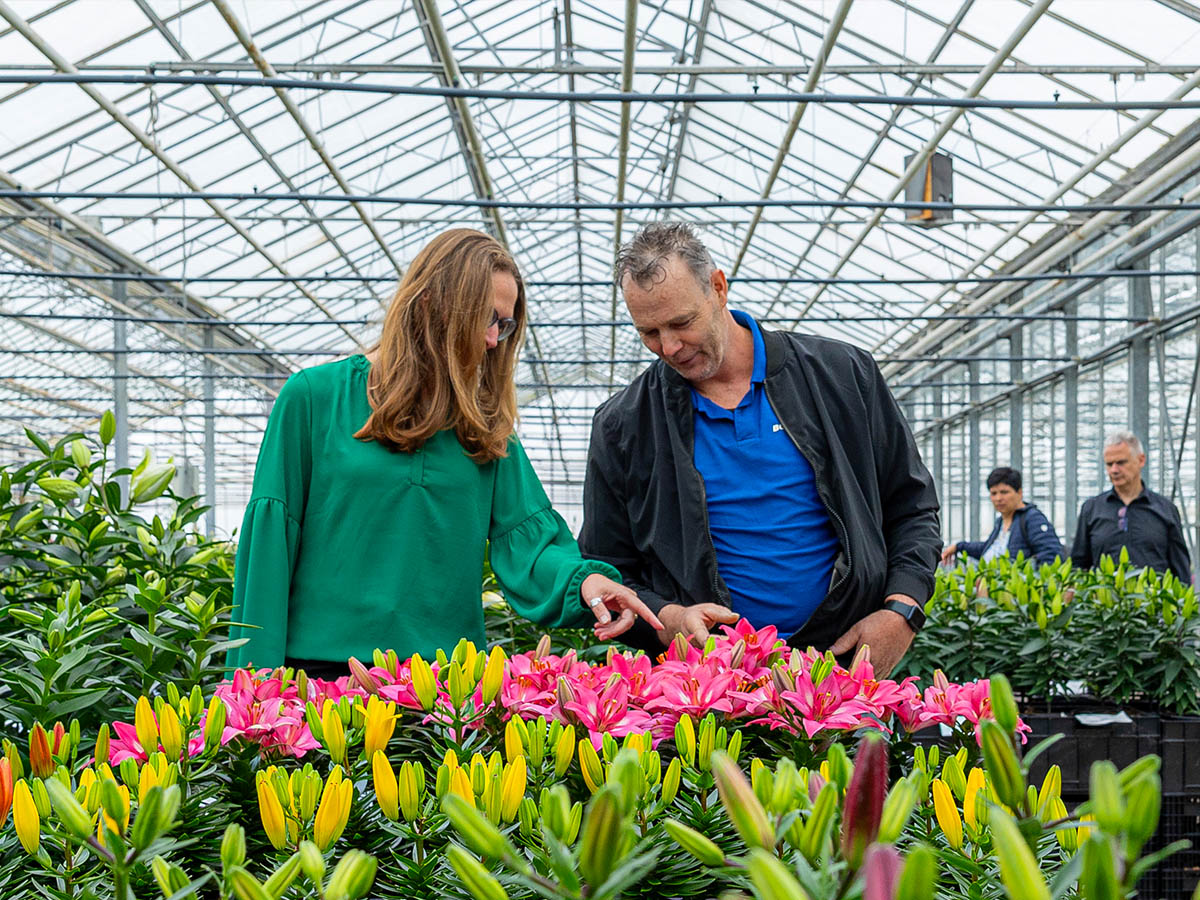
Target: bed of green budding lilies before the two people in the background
x: 1129, y: 635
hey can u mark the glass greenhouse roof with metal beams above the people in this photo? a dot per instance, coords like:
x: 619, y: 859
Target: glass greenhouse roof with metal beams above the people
x: 274, y: 218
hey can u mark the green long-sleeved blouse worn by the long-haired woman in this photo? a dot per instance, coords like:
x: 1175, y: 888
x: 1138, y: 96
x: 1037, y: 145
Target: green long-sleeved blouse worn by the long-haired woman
x: 347, y: 547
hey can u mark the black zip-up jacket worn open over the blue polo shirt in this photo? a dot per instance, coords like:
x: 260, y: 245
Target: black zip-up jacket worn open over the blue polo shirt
x: 644, y: 499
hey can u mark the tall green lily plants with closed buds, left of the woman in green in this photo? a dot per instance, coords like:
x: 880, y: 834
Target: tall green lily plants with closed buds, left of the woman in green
x: 103, y: 599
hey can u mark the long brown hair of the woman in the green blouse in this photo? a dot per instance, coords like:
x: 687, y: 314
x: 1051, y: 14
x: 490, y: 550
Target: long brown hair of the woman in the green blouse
x: 434, y: 370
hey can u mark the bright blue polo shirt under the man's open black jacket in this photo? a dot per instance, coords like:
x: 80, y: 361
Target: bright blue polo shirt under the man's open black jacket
x: 776, y: 545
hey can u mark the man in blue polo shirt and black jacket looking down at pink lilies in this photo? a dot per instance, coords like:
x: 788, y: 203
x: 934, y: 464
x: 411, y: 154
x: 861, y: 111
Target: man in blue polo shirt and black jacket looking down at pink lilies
x: 755, y: 473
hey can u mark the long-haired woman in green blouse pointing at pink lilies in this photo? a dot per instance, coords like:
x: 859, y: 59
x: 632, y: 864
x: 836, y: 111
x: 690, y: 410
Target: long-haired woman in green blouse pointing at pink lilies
x: 382, y: 478
